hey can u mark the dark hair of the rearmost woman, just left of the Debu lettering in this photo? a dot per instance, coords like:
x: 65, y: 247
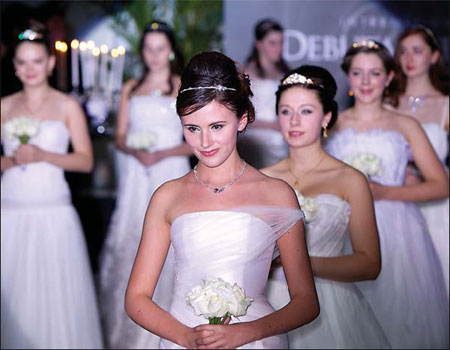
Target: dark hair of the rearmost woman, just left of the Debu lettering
x: 263, y: 28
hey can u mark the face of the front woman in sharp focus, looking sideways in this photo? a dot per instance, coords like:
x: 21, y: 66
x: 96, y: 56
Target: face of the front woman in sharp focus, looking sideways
x: 211, y: 132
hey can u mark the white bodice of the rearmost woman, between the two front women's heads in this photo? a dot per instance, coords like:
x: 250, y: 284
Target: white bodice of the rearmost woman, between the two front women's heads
x: 264, y: 98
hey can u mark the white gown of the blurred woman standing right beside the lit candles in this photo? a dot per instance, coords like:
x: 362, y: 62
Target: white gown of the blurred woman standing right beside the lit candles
x: 154, y: 114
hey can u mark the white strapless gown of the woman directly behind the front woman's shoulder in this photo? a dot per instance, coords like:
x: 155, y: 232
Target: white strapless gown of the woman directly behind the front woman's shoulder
x: 346, y: 320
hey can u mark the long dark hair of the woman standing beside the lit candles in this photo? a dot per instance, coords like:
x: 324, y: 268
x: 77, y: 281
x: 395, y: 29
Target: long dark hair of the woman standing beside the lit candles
x: 175, y: 65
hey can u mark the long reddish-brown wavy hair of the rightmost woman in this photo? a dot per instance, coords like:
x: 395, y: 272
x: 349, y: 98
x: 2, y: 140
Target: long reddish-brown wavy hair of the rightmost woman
x: 438, y: 71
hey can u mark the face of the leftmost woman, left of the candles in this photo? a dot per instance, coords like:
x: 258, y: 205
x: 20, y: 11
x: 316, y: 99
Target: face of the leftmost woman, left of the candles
x: 33, y: 64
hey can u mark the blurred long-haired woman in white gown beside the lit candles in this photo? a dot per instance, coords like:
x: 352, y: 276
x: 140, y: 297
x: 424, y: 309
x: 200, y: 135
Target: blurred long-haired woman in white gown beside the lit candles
x: 147, y: 108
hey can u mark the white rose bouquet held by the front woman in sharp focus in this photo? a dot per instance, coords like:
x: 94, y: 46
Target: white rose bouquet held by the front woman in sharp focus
x: 217, y: 300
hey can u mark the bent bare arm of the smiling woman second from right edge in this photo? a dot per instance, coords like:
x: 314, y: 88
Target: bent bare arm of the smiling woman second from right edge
x: 435, y: 180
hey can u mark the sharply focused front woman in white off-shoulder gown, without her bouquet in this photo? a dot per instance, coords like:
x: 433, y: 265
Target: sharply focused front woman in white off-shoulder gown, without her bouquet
x: 223, y: 220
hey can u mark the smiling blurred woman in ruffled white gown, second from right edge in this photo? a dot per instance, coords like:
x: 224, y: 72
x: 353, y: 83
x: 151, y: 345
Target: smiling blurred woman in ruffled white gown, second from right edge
x: 408, y: 297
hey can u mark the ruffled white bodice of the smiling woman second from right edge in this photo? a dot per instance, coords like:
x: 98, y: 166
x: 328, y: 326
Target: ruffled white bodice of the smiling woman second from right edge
x: 389, y: 146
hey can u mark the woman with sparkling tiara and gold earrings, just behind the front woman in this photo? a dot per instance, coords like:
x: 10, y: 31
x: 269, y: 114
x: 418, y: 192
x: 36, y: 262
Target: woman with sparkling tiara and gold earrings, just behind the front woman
x: 336, y: 199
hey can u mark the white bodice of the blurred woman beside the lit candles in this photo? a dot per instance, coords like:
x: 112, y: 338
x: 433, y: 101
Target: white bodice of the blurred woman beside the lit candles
x: 156, y: 114
